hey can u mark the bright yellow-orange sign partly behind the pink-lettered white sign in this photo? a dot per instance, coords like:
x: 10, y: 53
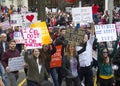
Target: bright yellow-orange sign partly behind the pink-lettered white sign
x: 46, y: 39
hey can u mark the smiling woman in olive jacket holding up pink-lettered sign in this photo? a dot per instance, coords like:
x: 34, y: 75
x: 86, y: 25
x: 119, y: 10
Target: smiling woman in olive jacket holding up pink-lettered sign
x: 37, y: 73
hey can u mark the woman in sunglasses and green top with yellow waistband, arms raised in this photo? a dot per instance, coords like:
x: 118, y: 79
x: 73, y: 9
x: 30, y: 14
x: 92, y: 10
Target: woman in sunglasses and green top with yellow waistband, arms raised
x: 105, y: 72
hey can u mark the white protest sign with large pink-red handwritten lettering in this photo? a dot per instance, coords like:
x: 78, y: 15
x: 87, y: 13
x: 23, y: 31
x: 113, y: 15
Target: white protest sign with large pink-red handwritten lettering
x: 32, y: 37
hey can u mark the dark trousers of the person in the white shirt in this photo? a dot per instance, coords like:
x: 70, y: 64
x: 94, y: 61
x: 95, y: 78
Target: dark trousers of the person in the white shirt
x: 87, y: 74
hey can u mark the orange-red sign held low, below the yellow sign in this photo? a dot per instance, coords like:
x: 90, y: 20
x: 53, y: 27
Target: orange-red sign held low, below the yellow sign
x: 56, y: 58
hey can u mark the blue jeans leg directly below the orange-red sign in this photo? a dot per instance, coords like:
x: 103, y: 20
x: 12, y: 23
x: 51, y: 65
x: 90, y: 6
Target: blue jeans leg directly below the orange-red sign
x: 54, y: 76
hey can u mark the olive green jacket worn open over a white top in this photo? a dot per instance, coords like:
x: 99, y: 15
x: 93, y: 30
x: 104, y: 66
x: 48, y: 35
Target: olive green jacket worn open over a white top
x: 33, y: 71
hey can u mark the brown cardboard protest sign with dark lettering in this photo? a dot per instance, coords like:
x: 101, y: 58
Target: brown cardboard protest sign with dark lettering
x: 75, y: 36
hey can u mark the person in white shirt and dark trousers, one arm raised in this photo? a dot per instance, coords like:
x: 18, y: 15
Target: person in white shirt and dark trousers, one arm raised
x: 85, y: 58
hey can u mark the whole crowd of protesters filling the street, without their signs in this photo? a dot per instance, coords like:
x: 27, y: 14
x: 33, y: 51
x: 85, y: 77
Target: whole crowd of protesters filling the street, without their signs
x: 77, y: 60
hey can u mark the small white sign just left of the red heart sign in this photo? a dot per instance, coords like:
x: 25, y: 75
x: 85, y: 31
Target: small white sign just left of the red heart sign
x: 16, y: 20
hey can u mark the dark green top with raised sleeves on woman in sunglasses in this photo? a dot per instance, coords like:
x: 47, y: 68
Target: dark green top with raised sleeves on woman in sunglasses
x: 106, y: 69
